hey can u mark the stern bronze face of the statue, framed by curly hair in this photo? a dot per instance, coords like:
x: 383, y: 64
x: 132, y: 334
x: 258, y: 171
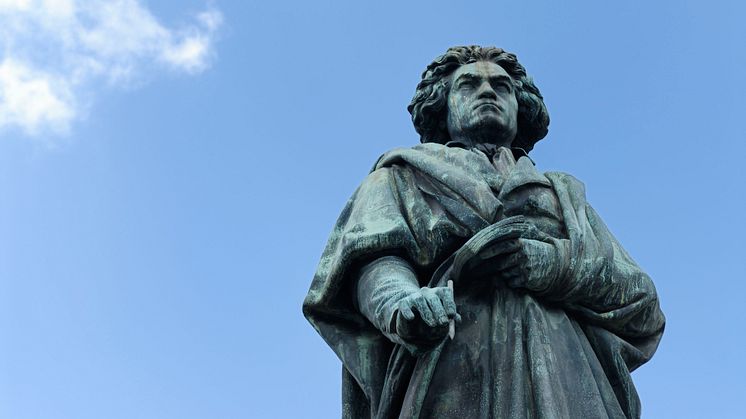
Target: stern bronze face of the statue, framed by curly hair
x: 482, y: 107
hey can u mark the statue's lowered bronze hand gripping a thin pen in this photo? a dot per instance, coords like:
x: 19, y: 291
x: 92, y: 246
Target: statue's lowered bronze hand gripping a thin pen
x: 423, y: 316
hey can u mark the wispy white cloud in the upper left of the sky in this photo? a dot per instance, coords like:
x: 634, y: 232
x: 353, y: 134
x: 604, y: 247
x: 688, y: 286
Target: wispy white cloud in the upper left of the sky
x: 53, y: 51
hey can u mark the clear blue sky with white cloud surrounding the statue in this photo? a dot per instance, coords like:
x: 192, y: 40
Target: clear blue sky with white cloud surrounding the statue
x: 170, y: 172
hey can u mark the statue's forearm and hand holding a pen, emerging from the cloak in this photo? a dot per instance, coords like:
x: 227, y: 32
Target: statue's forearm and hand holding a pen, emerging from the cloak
x: 389, y: 296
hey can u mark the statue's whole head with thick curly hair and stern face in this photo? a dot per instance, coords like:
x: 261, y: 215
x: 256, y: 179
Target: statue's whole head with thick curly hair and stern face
x: 438, y: 111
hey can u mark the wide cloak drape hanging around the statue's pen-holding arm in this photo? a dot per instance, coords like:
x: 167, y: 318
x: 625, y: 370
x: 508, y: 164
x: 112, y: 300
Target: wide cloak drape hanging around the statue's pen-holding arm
x: 386, y: 216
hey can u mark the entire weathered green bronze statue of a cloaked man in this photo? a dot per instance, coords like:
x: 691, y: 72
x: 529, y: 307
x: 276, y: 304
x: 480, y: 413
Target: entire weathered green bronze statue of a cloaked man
x: 461, y: 282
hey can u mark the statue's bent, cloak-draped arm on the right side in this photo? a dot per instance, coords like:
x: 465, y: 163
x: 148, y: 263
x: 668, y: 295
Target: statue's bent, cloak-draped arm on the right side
x: 592, y: 276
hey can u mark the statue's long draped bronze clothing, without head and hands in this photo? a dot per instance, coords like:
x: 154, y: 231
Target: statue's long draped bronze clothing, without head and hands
x: 563, y: 349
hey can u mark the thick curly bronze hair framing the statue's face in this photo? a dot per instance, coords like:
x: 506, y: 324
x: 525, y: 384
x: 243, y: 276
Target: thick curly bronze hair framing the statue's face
x: 430, y: 102
